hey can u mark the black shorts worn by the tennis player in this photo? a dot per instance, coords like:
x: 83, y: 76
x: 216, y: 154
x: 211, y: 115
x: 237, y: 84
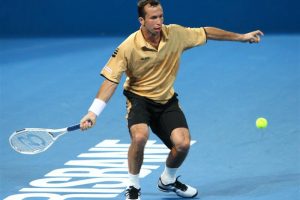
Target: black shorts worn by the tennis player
x: 161, y: 118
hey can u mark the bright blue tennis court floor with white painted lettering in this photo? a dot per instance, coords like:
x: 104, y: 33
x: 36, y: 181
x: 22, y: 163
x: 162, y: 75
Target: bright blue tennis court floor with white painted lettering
x: 223, y: 87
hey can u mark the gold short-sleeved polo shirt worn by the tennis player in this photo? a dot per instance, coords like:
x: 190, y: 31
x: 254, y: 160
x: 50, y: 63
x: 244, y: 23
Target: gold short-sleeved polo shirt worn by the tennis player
x: 151, y: 72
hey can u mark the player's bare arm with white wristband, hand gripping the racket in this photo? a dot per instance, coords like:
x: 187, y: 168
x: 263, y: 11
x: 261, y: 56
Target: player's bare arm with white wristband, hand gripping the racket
x: 105, y: 92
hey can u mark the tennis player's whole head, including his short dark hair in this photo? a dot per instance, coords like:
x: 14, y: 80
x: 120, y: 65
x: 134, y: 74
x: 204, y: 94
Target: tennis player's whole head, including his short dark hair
x: 151, y: 15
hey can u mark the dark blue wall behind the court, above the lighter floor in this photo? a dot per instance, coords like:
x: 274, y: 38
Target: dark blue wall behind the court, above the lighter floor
x: 31, y: 18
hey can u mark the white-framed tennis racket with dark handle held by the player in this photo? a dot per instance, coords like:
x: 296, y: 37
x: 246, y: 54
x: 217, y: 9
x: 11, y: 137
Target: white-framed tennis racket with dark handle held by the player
x: 37, y: 140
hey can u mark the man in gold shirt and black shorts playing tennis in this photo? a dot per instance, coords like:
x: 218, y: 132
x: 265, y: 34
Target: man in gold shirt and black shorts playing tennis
x: 150, y: 59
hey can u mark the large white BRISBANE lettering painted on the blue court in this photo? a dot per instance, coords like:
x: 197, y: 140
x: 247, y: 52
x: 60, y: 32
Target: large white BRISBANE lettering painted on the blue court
x: 99, y: 173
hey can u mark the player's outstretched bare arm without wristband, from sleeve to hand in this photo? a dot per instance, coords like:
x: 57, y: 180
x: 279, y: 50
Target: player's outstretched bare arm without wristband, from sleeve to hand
x: 213, y: 33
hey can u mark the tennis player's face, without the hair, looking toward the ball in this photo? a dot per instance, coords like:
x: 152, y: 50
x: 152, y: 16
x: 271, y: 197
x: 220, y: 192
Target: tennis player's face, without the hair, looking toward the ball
x: 153, y: 20
